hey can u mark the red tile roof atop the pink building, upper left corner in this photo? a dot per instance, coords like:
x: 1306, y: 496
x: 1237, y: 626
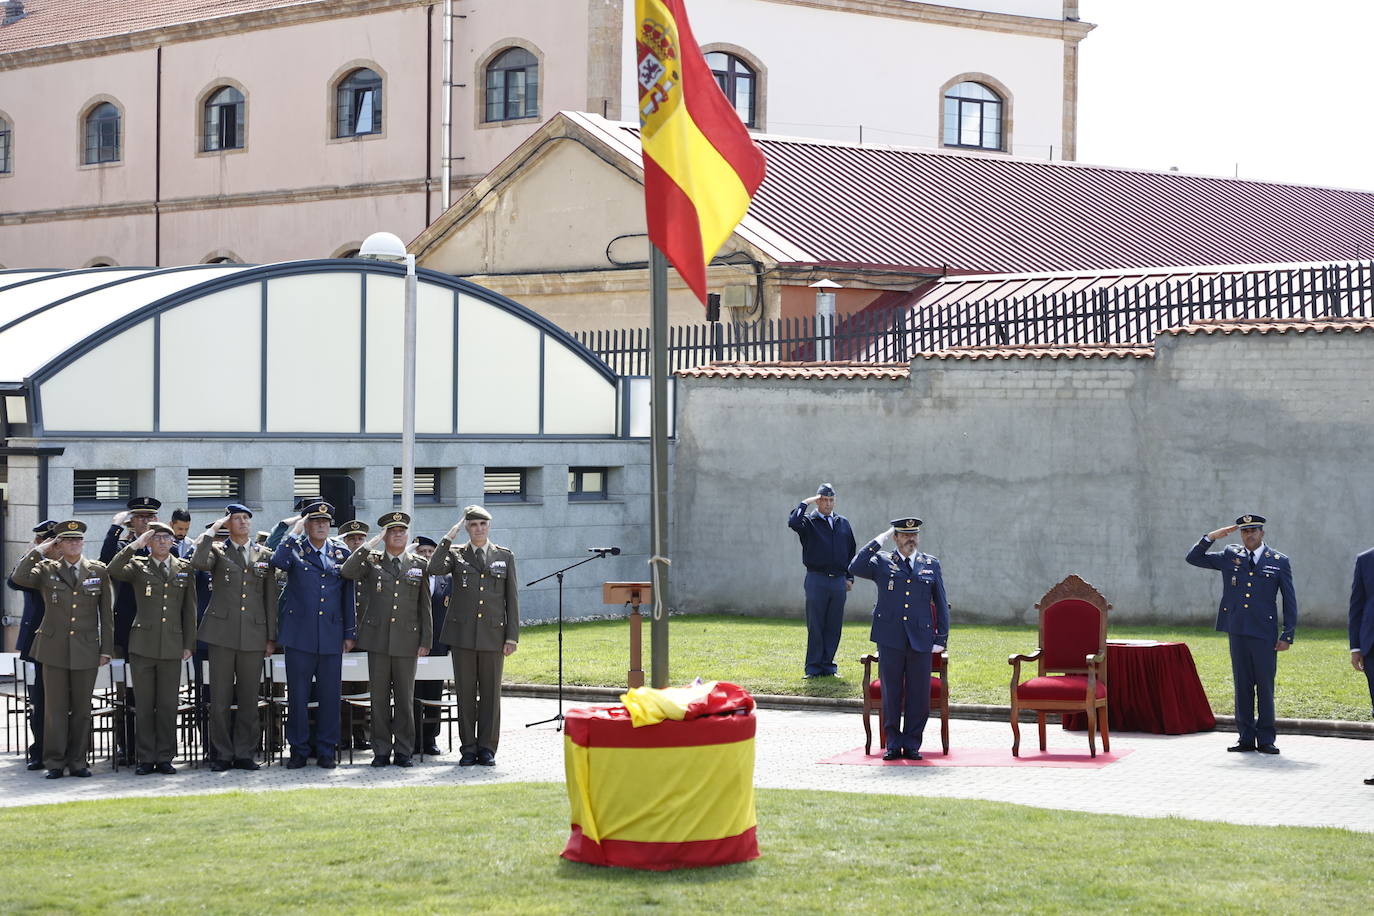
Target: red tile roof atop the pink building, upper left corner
x: 50, y: 23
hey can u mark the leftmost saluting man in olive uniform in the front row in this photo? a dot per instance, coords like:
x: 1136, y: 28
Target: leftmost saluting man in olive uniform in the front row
x: 75, y: 641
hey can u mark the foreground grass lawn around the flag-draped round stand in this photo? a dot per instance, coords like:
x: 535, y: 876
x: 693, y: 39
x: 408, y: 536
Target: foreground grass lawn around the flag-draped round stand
x: 495, y: 849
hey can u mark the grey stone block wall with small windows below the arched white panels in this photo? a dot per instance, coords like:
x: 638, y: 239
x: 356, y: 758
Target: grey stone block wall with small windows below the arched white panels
x: 546, y: 532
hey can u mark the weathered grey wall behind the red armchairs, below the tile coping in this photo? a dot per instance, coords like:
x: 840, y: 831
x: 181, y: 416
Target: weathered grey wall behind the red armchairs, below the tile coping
x: 1030, y: 469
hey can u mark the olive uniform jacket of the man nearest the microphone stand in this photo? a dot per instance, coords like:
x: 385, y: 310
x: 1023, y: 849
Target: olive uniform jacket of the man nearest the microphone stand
x: 484, y: 612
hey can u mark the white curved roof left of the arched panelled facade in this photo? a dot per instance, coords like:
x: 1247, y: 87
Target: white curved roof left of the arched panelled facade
x: 100, y: 300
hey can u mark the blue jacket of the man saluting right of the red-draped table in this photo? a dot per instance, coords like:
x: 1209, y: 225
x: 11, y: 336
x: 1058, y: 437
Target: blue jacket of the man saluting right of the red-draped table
x: 1250, y: 598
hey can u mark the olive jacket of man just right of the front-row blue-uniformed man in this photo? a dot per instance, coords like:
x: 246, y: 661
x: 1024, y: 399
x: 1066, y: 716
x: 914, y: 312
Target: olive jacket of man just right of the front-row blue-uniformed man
x: 394, y: 613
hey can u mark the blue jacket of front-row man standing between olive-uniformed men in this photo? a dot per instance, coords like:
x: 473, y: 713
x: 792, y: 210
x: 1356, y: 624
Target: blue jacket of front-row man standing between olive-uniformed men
x: 318, y: 608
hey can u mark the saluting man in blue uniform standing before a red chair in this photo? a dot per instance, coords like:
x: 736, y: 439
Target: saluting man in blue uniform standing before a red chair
x: 910, y: 621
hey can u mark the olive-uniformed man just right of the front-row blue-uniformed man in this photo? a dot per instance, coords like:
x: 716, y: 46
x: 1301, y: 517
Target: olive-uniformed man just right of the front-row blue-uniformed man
x: 395, y: 628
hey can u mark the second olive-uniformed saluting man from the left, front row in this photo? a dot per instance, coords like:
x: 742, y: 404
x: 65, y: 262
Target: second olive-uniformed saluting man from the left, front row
x: 161, y: 639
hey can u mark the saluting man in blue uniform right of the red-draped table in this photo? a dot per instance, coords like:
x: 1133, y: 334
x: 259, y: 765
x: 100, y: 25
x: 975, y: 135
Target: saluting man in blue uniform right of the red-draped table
x: 1254, y: 576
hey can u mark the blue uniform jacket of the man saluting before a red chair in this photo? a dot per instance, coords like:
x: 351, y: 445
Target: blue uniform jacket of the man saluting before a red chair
x: 903, y: 616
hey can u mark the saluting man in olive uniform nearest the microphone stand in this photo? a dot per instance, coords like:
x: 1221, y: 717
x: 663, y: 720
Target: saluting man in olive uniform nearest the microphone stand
x: 483, y: 628
